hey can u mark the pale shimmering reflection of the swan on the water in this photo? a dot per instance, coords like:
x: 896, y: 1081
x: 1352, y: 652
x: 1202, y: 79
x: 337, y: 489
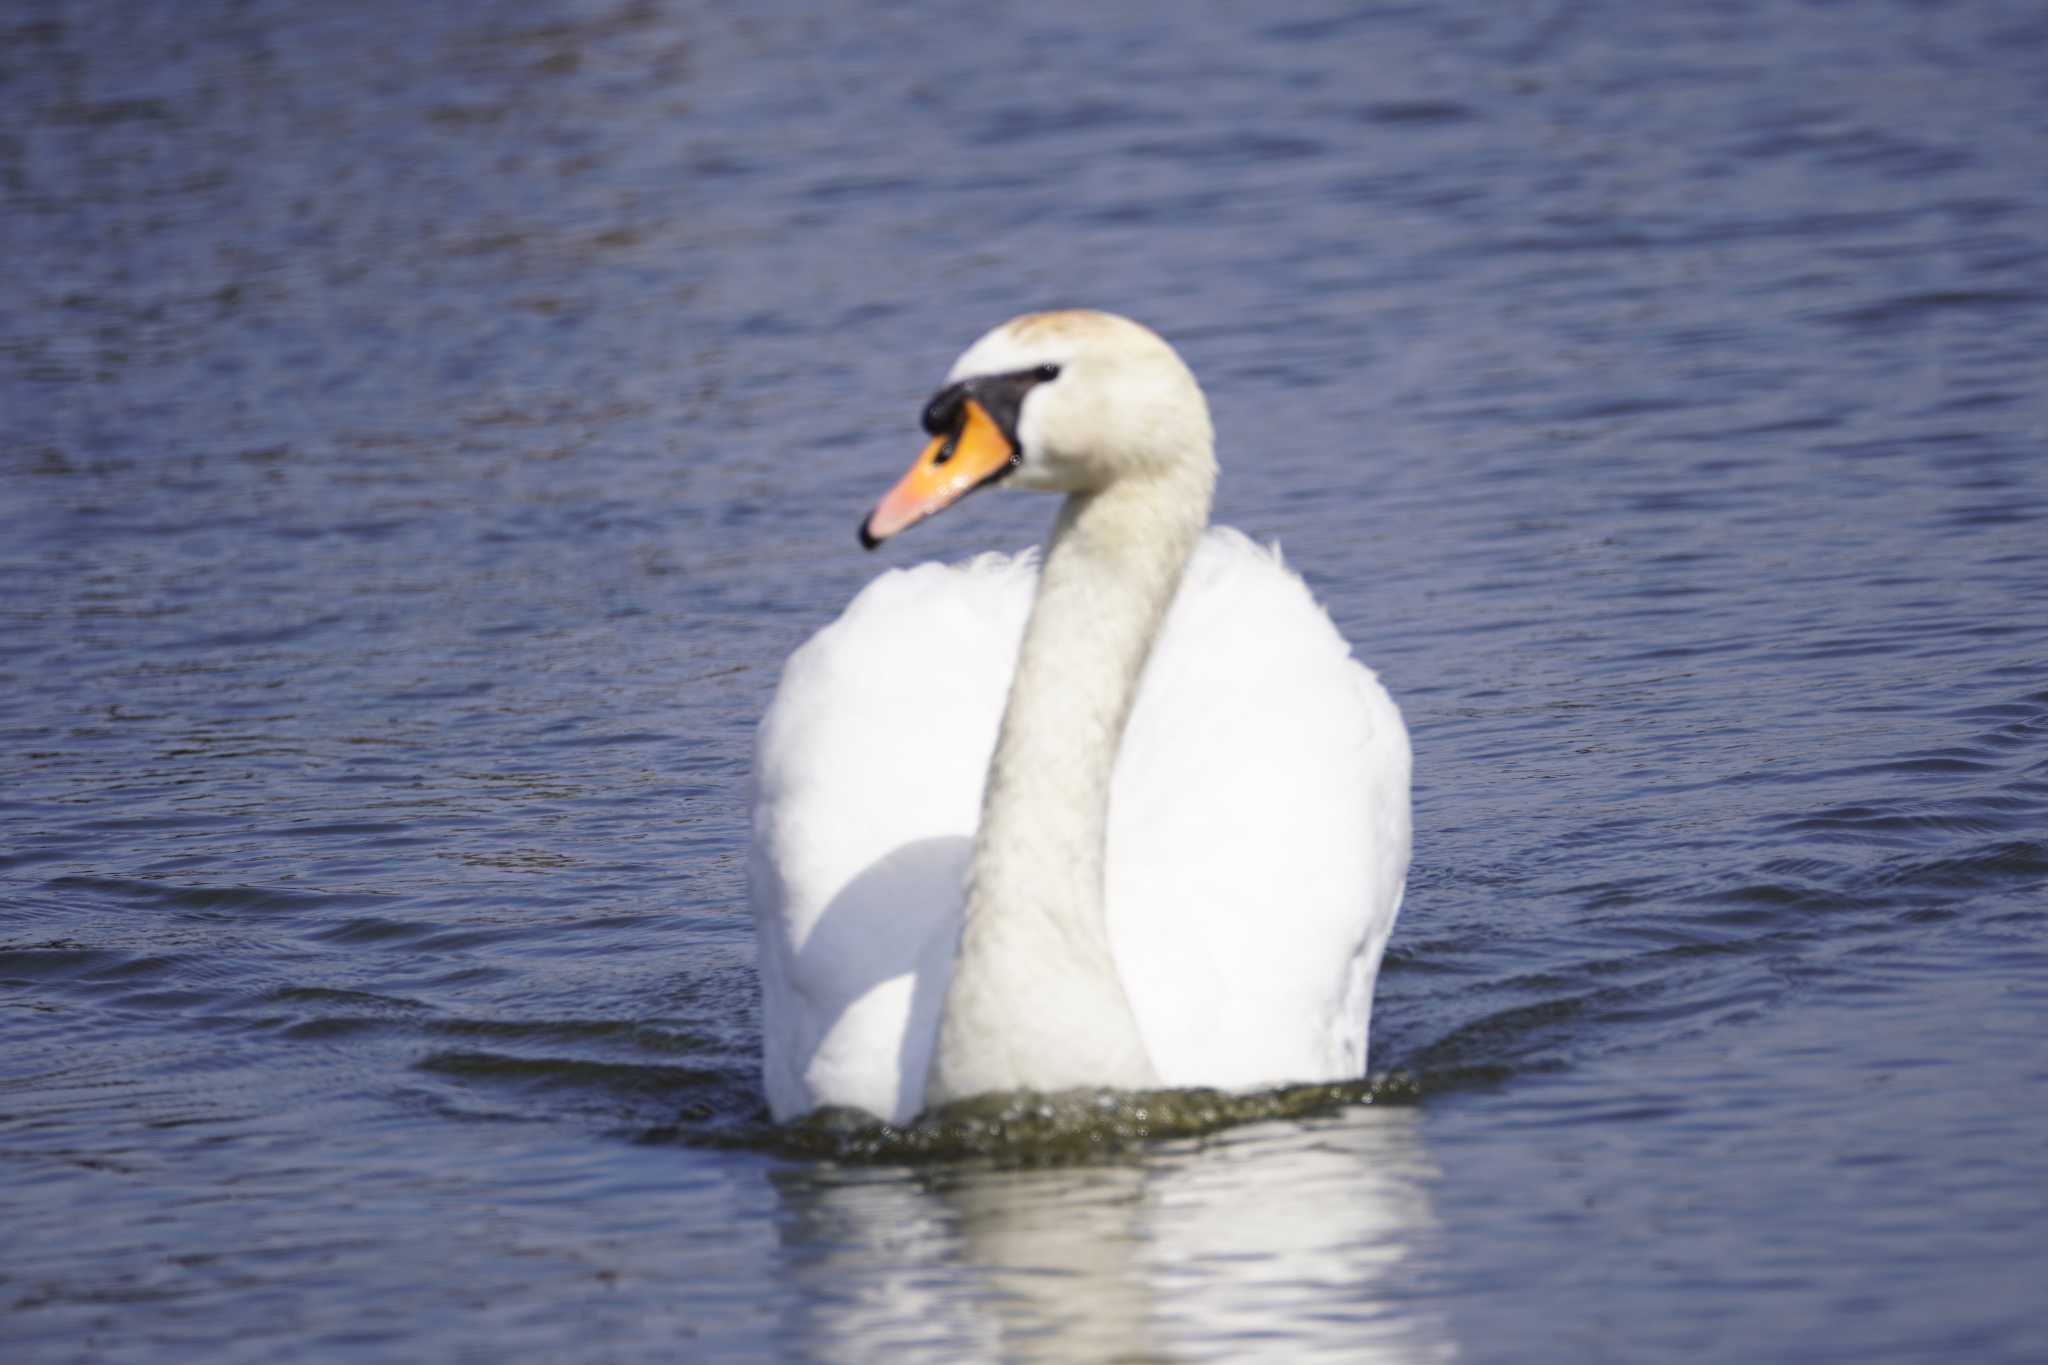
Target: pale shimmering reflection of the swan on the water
x: 1275, y: 1241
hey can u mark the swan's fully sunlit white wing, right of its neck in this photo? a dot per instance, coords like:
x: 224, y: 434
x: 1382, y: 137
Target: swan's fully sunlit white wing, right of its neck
x: 1258, y: 832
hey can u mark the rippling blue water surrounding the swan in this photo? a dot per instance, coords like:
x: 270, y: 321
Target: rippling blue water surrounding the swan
x: 427, y: 431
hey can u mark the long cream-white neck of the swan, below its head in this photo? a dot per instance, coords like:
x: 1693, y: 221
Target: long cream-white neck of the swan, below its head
x: 1035, y: 1000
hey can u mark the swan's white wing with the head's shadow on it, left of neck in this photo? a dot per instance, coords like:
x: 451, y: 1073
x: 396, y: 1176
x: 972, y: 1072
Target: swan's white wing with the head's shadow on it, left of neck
x: 867, y: 789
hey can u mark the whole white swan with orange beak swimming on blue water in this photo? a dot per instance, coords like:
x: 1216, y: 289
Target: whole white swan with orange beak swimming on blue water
x: 1172, y: 858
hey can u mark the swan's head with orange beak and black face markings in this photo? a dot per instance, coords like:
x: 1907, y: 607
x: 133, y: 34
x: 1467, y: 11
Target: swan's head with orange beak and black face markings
x: 1068, y: 402
